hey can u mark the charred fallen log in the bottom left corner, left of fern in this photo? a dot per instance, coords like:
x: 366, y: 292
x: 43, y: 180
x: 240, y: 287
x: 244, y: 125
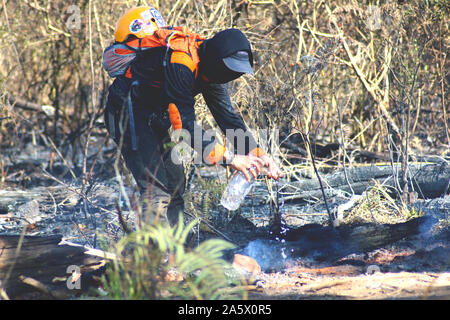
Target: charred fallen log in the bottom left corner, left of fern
x: 43, y: 265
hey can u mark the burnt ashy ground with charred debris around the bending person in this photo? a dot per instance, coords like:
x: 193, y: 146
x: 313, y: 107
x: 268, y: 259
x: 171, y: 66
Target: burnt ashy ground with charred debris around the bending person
x: 302, y: 260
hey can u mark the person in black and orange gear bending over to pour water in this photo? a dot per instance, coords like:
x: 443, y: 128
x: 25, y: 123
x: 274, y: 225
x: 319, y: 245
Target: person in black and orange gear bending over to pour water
x: 158, y: 71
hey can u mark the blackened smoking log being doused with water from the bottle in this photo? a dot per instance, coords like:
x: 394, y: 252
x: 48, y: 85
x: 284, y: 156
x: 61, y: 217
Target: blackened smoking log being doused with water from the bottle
x: 324, y: 243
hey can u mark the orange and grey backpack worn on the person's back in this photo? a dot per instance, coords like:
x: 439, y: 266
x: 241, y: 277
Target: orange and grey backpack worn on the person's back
x: 118, y: 57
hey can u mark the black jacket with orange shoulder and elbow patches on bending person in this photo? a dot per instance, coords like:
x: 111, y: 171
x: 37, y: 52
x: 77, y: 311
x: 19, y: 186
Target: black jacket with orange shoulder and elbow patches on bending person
x: 168, y: 83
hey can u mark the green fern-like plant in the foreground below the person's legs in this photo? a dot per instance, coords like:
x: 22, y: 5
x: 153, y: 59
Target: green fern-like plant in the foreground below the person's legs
x: 147, y: 255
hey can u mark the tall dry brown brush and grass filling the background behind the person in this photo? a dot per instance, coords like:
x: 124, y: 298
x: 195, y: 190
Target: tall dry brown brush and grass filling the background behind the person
x: 377, y: 65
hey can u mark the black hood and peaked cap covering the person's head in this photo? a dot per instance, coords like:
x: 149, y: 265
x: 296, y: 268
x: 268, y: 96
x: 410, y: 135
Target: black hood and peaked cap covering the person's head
x: 232, y: 45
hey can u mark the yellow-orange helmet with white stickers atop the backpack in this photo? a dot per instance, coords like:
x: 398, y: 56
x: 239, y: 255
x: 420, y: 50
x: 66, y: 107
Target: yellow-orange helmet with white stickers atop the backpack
x: 140, y: 22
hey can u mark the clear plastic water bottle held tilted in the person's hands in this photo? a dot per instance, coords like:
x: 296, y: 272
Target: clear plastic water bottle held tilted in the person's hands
x: 236, y: 191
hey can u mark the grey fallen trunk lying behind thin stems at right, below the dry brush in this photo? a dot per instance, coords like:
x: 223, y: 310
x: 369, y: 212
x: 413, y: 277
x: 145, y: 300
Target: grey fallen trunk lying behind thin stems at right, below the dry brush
x: 428, y: 180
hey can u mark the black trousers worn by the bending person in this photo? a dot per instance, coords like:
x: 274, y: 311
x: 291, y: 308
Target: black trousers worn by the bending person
x: 160, y: 180
